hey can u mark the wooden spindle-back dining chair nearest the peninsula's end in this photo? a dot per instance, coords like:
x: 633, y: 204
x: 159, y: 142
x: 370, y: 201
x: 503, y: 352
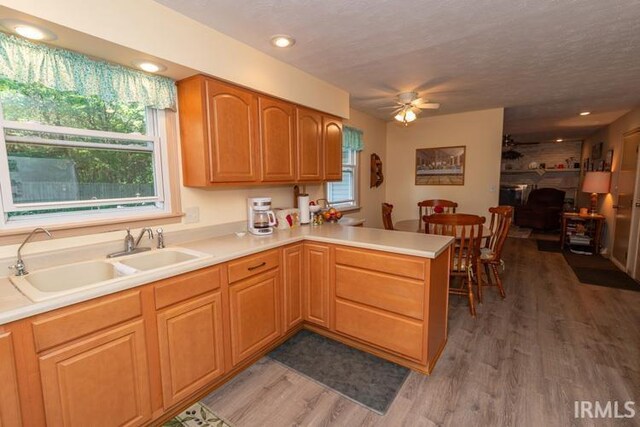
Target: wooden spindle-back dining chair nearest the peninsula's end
x: 465, y: 259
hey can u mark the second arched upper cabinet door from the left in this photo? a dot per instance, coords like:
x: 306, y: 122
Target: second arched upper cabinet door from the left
x: 277, y: 140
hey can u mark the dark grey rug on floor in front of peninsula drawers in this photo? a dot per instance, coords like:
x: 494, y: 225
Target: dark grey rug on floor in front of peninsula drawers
x: 359, y: 376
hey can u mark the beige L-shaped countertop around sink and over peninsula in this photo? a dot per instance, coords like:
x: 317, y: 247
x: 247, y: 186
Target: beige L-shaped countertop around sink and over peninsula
x: 14, y: 305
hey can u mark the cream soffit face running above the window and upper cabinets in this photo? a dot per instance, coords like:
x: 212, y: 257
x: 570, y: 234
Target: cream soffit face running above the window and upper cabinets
x: 154, y: 29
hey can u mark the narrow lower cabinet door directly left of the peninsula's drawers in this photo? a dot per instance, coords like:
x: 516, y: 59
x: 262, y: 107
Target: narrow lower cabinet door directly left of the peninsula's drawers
x: 316, y: 284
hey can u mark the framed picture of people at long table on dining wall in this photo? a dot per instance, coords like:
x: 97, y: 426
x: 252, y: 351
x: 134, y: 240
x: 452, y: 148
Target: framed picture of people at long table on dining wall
x: 440, y: 166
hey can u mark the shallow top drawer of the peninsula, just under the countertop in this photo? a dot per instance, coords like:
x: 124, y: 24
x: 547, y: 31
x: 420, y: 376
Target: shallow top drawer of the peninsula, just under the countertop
x: 382, y: 262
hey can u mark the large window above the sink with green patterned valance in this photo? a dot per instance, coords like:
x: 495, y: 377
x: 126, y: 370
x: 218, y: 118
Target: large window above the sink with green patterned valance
x: 79, y: 138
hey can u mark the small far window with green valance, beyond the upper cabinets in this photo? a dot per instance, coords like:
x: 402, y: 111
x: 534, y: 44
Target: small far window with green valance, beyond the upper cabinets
x: 344, y: 194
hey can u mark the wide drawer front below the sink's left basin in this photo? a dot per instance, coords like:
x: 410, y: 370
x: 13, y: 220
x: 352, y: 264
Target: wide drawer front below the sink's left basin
x: 83, y: 319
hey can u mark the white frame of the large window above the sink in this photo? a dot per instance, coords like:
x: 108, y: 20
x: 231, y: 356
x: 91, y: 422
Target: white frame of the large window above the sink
x: 155, y: 135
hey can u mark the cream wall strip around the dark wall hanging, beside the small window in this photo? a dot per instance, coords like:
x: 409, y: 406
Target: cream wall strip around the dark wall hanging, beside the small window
x: 375, y: 141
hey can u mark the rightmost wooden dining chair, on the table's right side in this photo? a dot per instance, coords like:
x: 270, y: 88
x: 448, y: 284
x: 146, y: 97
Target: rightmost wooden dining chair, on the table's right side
x: 491, y: 253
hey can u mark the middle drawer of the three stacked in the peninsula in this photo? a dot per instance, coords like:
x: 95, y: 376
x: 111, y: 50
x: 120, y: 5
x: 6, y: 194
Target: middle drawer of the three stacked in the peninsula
x: 392, y: 293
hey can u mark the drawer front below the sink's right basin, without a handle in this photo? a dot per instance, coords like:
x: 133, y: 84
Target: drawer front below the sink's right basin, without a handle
x: 181, y: 288
